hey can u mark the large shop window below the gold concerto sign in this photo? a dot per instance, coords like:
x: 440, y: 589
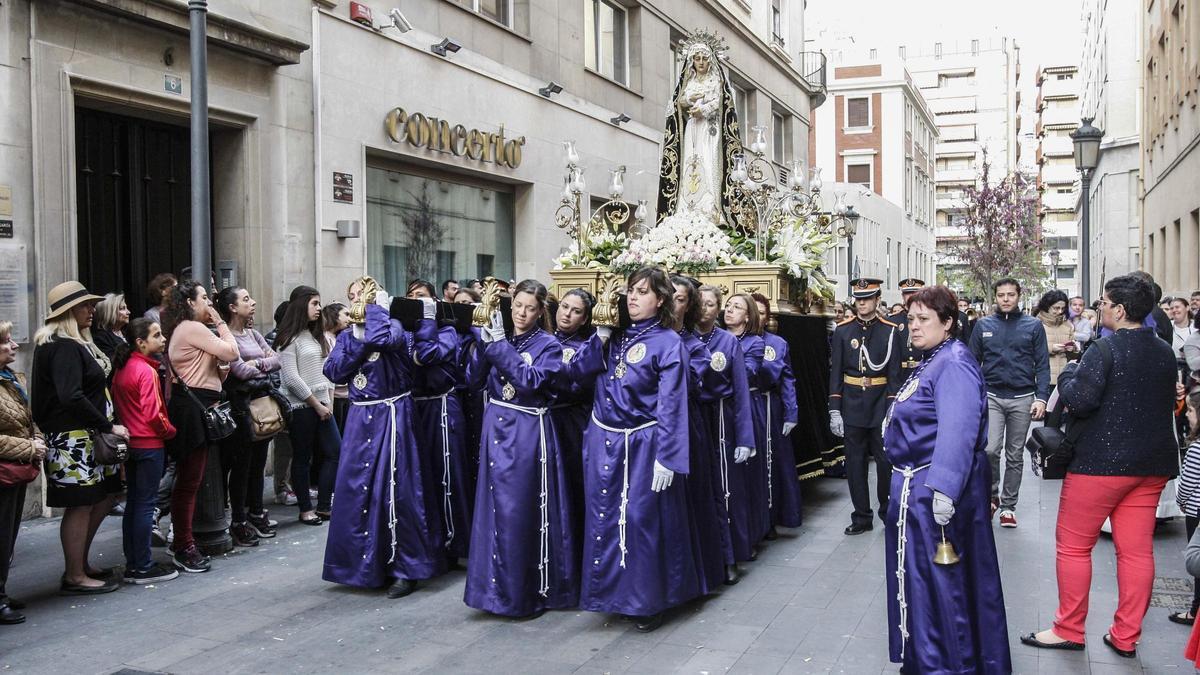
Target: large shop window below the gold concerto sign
x: 431, y: 228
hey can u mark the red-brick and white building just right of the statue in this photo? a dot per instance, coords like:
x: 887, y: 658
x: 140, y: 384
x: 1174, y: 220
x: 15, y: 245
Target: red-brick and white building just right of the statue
x: 878, y: 135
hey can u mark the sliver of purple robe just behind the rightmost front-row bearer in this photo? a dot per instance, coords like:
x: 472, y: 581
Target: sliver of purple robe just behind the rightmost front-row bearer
x: 709, y: 519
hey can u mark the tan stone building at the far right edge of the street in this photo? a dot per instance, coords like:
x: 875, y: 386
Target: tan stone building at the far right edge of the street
x: 1171, y: 145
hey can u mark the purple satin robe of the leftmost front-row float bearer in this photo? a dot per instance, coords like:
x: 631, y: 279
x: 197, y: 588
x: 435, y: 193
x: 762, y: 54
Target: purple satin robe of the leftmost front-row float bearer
x: 359, y: 547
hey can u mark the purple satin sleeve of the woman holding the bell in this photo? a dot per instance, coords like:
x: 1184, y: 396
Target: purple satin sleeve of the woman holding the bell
x: 959, y: 404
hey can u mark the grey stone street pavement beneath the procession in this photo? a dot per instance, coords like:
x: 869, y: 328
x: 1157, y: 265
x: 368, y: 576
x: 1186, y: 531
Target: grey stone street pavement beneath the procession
x: 814, y: 602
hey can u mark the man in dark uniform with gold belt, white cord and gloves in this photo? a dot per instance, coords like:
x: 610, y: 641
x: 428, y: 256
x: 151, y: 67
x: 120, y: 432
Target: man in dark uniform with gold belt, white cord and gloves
x: 863, y: 379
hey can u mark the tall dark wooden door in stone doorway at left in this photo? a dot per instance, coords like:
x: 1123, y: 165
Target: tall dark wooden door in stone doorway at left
x: 134, y: 200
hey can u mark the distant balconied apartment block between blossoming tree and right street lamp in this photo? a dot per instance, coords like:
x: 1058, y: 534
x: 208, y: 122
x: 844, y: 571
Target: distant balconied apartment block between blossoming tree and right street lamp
x: 1058, y: 117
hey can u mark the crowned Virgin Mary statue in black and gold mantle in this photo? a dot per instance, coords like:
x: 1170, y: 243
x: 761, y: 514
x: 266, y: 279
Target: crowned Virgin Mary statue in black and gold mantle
x: 701, y: 138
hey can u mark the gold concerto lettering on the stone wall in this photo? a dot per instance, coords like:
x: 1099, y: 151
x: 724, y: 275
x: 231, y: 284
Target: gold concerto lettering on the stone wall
x: 437, y: 135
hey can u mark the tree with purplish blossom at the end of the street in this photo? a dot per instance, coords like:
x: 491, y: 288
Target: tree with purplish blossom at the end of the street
x: 1001, y: 236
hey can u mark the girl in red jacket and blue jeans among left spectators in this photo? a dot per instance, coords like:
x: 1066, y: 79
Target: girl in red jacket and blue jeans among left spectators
x: 137, y: 395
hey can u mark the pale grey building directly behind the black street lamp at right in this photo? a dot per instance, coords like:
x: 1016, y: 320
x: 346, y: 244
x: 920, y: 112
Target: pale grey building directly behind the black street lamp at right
x: 1111, y: 87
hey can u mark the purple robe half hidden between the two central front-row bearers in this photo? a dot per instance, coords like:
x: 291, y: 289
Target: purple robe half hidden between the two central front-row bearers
x: 574, y: 390
